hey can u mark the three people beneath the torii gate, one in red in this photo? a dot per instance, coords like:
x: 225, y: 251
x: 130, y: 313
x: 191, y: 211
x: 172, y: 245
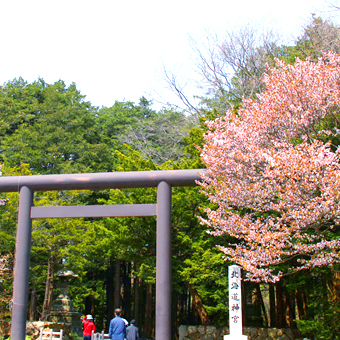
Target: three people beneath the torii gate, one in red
x: 118, y: 328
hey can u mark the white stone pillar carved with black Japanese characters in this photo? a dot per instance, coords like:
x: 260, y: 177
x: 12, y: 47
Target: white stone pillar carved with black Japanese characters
x: 235, y: 305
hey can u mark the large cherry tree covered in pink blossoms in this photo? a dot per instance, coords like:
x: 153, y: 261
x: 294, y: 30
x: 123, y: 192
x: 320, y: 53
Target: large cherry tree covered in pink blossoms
x: 273, y: 170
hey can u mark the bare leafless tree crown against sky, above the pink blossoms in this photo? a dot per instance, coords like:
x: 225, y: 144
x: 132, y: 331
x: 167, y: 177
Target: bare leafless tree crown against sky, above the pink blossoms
x: 232, y: 68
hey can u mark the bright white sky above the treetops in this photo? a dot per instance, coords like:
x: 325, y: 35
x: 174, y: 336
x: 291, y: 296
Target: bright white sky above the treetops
x: 114, y: 50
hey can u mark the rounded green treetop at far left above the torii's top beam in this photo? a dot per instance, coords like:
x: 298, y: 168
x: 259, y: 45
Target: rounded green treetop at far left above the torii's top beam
x: 51, y: 128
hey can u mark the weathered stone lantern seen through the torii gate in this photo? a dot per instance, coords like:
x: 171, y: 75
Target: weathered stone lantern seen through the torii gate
x: 63, y: 310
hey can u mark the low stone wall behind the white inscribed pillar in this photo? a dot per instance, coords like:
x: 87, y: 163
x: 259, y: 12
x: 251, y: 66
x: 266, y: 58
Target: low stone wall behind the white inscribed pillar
x: 214, y: 333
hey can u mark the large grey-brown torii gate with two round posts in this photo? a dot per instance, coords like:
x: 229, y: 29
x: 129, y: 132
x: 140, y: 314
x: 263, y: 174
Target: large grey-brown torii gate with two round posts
x: 27, y: 185
